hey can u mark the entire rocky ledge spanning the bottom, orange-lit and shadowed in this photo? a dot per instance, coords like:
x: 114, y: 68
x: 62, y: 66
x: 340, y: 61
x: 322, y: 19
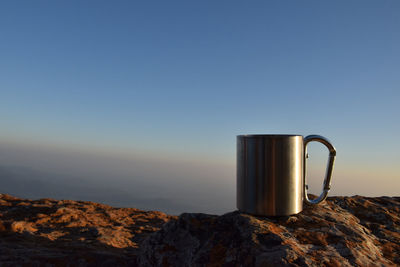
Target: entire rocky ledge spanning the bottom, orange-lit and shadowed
x: 342, y: 231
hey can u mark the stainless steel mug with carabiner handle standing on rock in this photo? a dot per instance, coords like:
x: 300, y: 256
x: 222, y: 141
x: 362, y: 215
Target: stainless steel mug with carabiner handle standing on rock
x: 271, y: 170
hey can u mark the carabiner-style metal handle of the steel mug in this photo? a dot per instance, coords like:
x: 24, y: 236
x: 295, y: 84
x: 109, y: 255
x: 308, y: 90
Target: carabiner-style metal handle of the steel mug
x: 329, y: 168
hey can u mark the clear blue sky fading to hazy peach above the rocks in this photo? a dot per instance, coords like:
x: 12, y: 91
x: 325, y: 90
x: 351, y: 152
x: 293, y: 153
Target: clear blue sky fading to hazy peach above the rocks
x: 147, y: 97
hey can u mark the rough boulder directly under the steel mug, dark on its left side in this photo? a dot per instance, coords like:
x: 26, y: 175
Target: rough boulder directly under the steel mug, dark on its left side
x: 343, y: 231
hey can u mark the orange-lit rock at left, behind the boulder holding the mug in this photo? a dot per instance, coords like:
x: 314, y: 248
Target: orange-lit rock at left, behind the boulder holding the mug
x: 64, y: 232
